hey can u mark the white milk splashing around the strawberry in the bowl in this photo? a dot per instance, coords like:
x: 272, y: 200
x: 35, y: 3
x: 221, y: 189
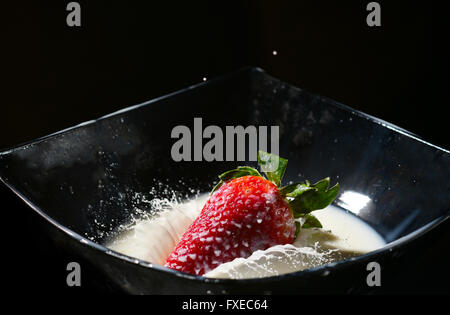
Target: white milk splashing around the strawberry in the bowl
x: 342, y: 236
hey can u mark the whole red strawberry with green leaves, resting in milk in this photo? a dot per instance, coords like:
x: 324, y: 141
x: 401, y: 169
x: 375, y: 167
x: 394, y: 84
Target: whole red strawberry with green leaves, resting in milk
x: 247, y: 212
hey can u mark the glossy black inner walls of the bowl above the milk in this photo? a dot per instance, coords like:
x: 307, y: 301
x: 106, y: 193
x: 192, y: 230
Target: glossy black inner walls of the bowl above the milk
x: 92, y: 177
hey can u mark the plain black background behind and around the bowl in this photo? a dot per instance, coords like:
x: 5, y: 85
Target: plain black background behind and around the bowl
x: 55, y: 76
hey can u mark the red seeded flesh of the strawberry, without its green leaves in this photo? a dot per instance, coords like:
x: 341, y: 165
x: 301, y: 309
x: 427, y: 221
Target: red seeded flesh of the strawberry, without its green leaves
x: 244, y: 215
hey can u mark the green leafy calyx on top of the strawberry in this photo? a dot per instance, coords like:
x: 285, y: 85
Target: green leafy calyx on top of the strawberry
x: 302, y: 197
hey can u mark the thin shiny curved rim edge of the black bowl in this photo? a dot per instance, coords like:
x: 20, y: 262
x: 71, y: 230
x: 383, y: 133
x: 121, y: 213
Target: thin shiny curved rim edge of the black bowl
x: 389, y: 247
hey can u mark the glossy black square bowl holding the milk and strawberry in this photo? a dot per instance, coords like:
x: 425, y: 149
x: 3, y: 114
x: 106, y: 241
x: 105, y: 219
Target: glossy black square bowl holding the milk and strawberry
x: 83, y: 181
